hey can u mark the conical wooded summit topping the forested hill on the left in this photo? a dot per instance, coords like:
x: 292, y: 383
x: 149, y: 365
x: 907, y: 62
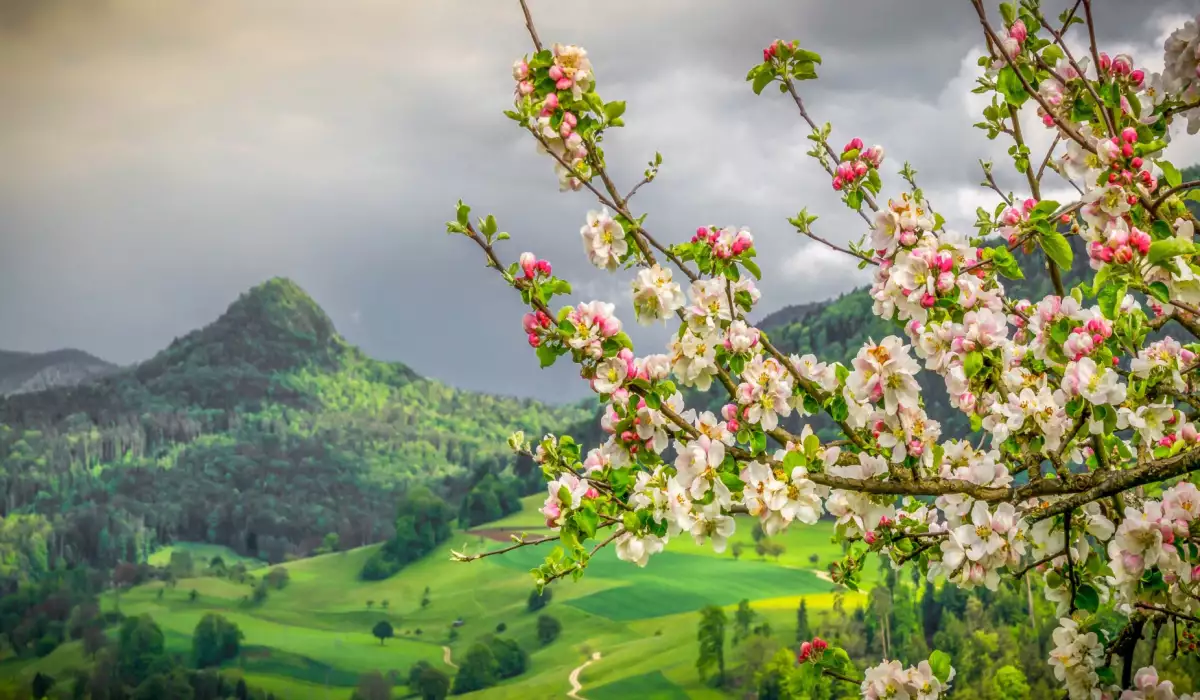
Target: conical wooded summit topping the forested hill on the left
x: 274, y: 326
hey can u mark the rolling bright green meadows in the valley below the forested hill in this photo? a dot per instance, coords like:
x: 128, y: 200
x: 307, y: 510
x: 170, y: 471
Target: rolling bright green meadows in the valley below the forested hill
x: 314, y: 638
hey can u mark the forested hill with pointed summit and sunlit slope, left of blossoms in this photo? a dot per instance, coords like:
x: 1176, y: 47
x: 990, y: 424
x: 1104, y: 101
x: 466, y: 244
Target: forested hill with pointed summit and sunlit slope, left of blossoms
x: 265, y: 432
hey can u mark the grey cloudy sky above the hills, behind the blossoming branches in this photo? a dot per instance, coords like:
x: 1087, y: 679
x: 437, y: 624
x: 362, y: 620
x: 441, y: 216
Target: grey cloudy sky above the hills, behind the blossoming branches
x: 161, y: 157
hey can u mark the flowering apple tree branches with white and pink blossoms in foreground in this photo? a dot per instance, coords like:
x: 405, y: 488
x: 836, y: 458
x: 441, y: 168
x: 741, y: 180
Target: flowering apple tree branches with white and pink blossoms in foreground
x: 1082, y: 398
